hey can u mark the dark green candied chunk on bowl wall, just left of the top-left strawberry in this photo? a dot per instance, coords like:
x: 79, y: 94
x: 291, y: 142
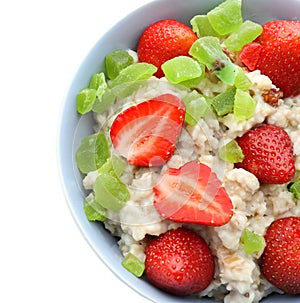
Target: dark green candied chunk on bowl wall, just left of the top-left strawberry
x: 116, y: 61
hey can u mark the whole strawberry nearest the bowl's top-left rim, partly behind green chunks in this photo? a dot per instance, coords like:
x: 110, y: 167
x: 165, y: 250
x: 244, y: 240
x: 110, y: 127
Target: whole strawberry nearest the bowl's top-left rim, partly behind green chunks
x: 164, y: 40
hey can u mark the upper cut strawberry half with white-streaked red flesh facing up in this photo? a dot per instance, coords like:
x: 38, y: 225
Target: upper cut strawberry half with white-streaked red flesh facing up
x: 146, y: 134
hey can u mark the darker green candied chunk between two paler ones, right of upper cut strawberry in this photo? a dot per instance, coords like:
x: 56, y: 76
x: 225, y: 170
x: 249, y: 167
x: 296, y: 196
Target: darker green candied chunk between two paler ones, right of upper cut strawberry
x: 223, y: 103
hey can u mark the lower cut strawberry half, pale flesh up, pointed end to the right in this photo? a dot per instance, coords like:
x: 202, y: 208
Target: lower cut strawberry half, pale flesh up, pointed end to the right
x: 192, y: 194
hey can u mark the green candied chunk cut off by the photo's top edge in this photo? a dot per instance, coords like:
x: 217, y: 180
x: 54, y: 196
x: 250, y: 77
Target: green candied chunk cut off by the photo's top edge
x: 226, y: 17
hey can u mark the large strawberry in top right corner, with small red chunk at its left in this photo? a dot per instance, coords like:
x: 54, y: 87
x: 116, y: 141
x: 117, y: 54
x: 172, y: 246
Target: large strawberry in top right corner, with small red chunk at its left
x: 276, y: 54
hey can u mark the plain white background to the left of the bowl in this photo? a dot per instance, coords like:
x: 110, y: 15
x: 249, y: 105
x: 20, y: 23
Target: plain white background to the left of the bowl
x: 43, y: 256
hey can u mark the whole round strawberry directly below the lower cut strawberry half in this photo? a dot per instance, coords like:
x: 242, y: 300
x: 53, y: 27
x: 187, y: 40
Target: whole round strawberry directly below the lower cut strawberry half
x: 179, y: 262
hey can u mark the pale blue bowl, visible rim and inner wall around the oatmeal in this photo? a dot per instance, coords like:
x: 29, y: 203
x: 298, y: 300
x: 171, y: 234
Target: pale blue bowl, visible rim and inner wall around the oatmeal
x: 74, y: 127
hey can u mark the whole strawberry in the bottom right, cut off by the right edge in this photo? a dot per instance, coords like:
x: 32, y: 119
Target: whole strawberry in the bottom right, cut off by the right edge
x: 280, y: 262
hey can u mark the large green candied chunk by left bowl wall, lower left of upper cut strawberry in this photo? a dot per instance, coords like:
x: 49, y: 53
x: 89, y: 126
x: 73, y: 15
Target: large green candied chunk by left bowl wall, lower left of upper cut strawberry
x: 92, y: 153
